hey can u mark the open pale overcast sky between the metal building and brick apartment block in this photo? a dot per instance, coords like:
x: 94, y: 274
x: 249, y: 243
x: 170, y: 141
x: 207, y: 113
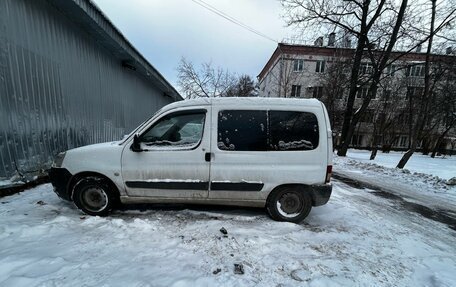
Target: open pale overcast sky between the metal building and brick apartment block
x: 164, y: 31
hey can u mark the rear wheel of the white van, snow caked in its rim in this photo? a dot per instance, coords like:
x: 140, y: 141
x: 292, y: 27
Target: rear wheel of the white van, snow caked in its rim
x: 291, y: 204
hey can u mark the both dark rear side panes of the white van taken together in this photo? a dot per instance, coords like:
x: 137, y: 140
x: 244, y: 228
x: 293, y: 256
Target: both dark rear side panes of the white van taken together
x: 255, y: 130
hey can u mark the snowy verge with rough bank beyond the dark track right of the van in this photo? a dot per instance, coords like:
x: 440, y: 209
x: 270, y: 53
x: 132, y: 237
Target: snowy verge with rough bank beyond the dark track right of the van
x: 421, y: 187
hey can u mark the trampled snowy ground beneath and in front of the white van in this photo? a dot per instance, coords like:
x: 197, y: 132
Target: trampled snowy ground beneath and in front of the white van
x: 357, y: 239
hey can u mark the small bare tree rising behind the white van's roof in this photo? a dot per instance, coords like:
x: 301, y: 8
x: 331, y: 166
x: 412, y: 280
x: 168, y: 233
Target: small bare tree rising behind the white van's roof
x: 206, y: 81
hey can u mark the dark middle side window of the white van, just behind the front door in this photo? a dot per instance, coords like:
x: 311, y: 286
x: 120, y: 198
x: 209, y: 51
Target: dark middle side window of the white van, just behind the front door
x: 242, y: 130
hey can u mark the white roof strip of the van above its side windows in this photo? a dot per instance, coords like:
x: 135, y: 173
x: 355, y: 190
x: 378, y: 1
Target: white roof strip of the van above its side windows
x: 246, y: 101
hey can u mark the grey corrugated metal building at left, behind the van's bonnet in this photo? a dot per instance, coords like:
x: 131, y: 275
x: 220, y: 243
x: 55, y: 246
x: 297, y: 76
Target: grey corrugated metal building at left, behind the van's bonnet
x: 68, y: 78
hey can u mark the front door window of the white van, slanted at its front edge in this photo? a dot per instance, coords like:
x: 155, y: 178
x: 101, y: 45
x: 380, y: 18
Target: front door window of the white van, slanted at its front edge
x: 179, y: 130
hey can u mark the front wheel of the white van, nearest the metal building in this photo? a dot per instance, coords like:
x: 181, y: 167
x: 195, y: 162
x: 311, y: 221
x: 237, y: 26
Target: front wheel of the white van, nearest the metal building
x: 94, y: 196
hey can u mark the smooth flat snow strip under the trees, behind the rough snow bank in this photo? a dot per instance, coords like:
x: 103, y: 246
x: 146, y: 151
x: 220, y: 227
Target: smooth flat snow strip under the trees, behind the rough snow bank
x: 443, y: 167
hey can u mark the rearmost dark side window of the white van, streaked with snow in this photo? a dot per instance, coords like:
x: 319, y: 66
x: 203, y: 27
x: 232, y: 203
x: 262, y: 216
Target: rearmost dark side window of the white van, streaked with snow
x: 291, y: 130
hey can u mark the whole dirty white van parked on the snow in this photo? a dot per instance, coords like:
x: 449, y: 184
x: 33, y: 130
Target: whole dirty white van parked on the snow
x: 261, y: 152
